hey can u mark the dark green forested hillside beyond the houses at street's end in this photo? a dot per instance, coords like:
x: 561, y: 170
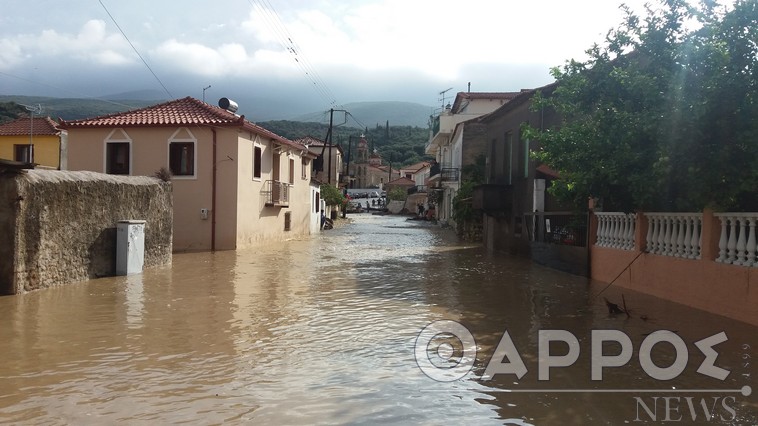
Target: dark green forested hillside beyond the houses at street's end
x: 401, y: 145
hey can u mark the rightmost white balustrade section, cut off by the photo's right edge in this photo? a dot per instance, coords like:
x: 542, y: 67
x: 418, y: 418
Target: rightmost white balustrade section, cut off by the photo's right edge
x: 737, y: 244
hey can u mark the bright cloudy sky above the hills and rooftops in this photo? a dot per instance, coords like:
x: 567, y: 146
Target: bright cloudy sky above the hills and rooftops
x: 288, y: 57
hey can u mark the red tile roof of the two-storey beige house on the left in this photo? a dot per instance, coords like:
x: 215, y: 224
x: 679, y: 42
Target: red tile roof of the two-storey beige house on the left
x: 180, y: 112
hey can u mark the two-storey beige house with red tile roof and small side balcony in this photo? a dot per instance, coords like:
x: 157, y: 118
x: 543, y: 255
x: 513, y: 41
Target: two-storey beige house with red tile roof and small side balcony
x: 235, y: 184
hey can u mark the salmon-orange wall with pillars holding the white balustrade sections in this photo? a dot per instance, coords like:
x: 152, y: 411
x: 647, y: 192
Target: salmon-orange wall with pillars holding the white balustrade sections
x: 722, y: 289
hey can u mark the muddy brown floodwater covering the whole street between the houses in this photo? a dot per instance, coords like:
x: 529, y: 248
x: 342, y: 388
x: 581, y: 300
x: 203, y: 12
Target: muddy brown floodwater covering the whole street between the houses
x: 322, y: 331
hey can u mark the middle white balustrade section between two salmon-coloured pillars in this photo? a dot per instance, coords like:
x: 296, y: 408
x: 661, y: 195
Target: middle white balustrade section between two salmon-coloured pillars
x: 674, y: 234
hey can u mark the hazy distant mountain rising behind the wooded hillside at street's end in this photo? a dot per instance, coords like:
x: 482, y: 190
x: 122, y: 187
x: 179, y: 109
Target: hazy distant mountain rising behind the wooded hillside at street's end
x: 369, y: 114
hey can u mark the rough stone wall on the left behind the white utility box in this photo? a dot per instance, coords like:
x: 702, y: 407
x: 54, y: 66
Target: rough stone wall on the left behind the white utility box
x: 59, y: 227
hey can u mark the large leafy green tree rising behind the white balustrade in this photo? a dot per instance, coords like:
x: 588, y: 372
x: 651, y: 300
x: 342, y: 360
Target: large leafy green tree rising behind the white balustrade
x: 664, y: 114
